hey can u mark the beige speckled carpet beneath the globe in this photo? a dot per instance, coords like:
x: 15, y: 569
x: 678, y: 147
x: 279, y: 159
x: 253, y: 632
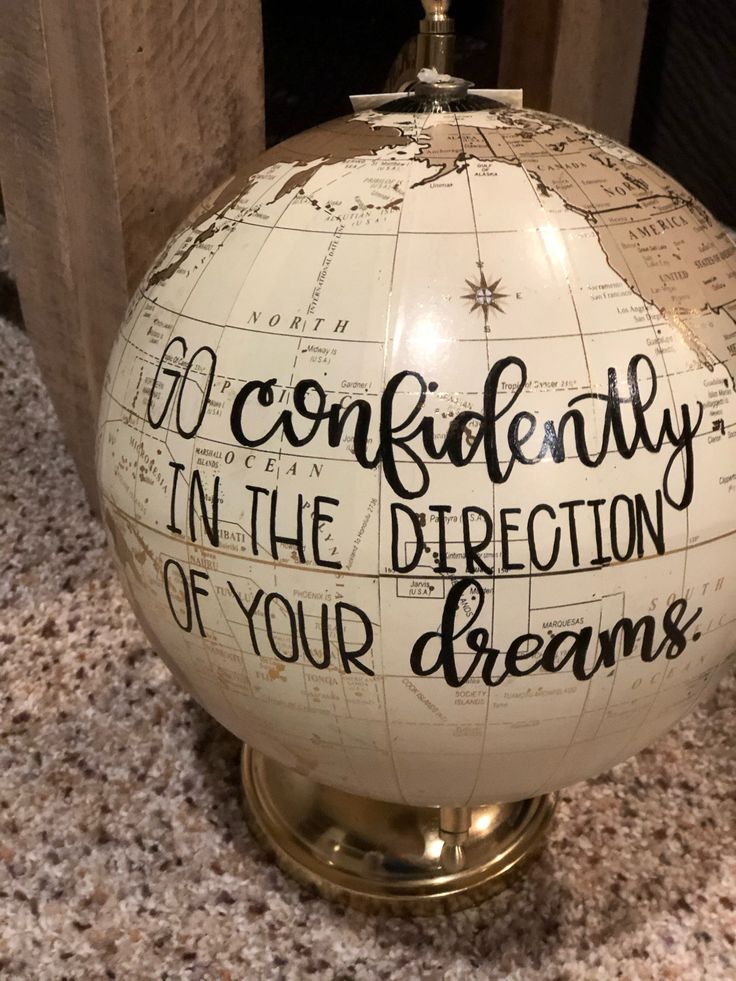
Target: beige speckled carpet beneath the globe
x: 123, y: 853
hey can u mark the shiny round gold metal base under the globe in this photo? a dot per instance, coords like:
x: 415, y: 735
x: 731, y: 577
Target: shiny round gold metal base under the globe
x: 376, y: 855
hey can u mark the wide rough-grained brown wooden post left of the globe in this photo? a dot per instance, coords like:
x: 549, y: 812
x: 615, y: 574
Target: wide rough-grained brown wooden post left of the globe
x: 117, y: 117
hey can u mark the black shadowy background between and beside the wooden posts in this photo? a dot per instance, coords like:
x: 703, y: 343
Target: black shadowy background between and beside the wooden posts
x: 685, y: 117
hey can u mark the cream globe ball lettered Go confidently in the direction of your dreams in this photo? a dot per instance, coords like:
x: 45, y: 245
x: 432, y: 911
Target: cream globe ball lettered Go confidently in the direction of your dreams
x: 414, y: 453
